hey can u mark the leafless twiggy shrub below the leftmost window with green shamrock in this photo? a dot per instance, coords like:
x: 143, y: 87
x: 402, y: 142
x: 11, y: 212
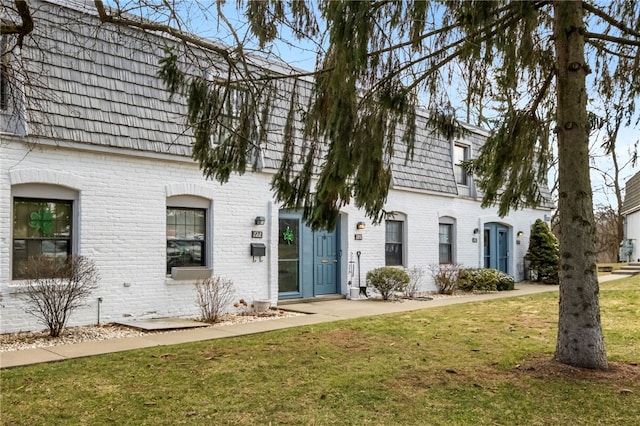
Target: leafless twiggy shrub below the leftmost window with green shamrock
x: 57, y: 288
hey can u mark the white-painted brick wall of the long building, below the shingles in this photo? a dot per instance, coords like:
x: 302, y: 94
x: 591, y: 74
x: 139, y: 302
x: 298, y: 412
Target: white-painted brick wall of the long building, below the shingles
x: 121, y: 226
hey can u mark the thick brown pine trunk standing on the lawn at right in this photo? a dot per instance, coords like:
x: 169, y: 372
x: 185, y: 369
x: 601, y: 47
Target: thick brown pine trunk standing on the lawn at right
x: 580, y: 342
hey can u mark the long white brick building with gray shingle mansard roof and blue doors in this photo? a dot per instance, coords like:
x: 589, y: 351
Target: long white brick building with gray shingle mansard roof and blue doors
x: 95, y: 150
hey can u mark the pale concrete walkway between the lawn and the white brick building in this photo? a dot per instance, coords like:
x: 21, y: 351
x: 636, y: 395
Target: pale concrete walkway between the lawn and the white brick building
x: 320, y: 312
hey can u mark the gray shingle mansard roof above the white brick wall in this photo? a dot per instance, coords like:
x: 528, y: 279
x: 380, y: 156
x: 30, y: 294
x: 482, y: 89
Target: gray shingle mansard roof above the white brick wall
x: 96, y: 84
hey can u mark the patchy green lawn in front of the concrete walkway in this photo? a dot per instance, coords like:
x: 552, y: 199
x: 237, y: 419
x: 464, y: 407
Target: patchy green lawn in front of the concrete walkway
x: 474, y: 364
